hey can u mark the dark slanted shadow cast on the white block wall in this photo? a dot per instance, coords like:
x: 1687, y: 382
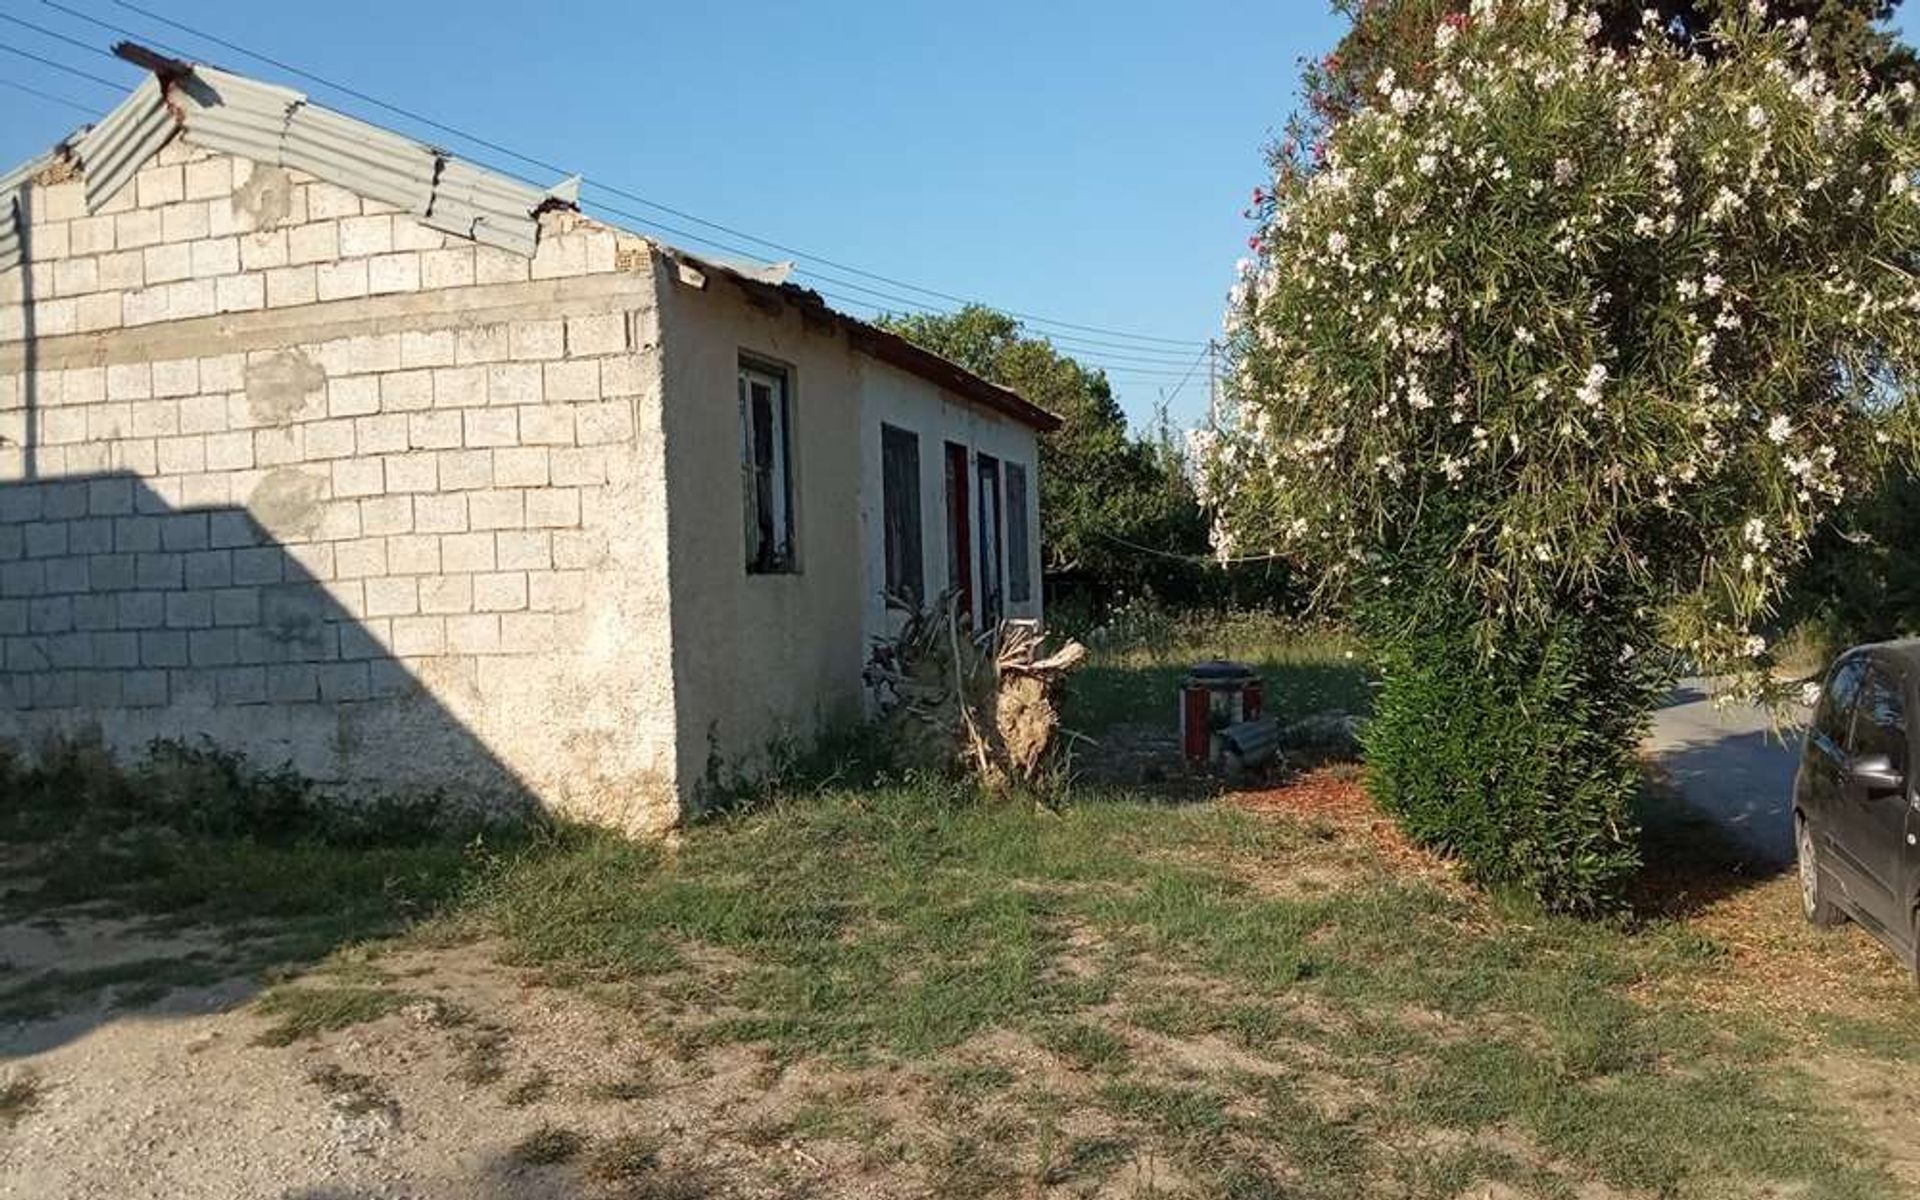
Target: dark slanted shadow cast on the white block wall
x: 147, y: 621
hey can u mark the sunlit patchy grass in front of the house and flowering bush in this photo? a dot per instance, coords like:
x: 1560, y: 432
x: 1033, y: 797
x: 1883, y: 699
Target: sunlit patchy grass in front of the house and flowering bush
x: 1374, y: 1034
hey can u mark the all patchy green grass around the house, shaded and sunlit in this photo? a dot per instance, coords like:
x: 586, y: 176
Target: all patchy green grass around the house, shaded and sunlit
x: 1120, y: 999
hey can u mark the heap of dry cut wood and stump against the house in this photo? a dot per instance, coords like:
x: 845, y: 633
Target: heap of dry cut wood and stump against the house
x: 988, y: 704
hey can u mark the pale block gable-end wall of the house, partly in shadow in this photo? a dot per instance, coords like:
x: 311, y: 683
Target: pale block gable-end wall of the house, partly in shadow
x: 289, y: 469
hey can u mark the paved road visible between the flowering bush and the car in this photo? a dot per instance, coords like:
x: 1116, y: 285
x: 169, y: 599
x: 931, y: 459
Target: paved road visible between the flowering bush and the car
x: 1733, y: 769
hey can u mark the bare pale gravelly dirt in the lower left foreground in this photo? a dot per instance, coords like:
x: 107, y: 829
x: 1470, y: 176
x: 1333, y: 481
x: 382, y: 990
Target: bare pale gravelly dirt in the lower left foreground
x: 427, y: 1103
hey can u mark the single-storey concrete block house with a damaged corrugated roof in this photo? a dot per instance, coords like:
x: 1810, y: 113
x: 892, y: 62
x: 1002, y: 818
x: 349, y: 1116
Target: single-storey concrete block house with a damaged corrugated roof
x: 358, y: 458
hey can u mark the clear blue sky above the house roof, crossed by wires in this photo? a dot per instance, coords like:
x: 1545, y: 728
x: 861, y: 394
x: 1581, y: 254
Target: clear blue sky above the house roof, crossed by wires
x: 1072, y: 160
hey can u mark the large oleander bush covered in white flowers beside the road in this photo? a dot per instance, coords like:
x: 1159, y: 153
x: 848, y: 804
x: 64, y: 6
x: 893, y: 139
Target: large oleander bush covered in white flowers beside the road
x: 1558, y: 360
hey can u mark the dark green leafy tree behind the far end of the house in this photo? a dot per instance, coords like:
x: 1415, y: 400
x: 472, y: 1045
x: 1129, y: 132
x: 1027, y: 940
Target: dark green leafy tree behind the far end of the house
x: 1105, y: 494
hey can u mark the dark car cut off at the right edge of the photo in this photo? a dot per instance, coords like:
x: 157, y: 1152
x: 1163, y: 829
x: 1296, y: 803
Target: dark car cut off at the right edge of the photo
x: 1856, y: 805
